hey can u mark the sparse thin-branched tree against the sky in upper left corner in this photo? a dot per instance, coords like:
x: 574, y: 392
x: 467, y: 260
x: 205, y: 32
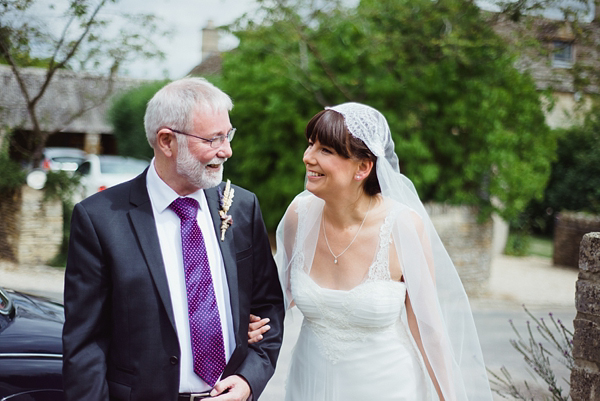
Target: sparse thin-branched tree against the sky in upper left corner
x: 87, y: 41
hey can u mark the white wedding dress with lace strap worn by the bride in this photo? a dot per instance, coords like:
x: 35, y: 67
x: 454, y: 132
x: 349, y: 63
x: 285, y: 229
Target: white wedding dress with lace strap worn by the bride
x: 355, y: 345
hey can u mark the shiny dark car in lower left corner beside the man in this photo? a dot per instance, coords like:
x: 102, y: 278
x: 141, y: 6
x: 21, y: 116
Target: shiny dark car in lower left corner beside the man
x: 30, y: 348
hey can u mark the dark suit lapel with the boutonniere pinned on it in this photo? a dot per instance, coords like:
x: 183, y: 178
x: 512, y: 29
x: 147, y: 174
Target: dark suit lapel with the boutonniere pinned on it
x: 228, y: 252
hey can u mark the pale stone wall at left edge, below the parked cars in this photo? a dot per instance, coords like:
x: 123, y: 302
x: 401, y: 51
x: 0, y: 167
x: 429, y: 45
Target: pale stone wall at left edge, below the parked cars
x: 30, y: 230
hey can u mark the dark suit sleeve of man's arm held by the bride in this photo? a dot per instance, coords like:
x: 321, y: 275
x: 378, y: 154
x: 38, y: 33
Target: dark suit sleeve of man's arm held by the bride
x: 267, y: 301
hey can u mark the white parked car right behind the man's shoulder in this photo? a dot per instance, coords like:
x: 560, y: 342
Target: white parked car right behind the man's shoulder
x: 99, y: 172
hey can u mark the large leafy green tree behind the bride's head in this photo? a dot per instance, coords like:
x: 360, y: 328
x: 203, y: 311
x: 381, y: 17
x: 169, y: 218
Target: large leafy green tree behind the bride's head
x: 468, y: 127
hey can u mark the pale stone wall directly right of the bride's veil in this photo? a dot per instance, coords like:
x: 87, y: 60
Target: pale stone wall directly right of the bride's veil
x: 468, y: 242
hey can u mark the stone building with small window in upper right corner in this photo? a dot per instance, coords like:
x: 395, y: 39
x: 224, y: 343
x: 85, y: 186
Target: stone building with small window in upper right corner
x: 551, y: 63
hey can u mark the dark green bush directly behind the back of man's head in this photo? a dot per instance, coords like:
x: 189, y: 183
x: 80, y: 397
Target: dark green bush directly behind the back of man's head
x: 126, y: 115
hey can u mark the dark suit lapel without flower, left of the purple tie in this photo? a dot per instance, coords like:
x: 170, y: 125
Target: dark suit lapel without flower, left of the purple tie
x: 142, y: 219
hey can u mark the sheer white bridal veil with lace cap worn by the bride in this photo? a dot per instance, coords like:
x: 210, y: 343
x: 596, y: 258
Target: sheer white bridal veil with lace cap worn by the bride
x: 437, y: 296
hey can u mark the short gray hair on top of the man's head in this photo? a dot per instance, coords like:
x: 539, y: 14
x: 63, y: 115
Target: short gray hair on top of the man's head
x: 175, y: 104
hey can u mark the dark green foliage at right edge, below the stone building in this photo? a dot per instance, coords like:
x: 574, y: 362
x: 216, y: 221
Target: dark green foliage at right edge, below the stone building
x: 574, y: 183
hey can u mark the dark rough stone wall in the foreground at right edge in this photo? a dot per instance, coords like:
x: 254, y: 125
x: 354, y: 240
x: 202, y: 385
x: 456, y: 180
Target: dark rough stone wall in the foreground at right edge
x: 585, y: 375
